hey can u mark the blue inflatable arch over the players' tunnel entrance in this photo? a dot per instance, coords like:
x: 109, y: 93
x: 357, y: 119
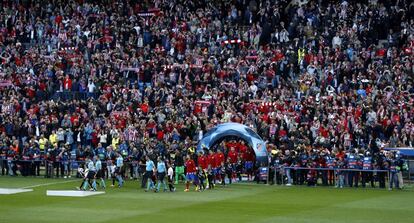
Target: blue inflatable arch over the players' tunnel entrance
x: 217, y: 133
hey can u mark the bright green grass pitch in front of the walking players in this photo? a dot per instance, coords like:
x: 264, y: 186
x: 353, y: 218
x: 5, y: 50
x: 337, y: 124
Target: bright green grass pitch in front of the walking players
x: 236, y: 203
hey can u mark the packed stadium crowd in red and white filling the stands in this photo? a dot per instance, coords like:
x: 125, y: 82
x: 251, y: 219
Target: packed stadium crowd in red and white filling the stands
x: 315, y: 79
